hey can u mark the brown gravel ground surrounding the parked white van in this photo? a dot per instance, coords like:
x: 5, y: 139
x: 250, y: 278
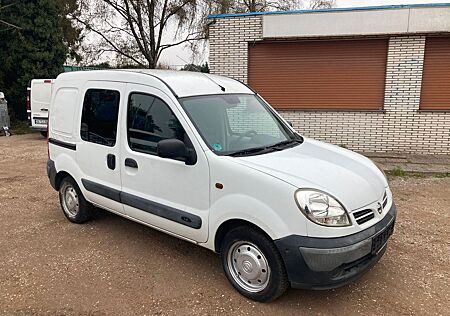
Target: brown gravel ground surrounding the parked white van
x: 114, y: 266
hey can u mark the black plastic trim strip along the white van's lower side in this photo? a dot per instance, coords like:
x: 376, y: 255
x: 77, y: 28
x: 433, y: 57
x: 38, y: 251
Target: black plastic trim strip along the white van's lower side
x: 161, y: 210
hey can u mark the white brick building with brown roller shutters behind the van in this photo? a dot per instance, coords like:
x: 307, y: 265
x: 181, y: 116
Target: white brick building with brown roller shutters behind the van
x: 374, y: 79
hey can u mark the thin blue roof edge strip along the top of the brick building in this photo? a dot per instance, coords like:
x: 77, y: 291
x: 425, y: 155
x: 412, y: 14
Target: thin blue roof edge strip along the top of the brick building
x: 385, y: 7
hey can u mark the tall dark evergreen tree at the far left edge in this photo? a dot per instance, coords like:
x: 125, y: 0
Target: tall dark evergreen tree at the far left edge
x: 36, y: 49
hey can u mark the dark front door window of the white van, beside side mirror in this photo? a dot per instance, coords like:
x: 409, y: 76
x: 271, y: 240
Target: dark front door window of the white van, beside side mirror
x: 150, y: 120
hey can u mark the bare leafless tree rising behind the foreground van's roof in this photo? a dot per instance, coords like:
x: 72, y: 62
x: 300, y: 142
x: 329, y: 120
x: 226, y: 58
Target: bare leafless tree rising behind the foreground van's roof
x: 135, y: 29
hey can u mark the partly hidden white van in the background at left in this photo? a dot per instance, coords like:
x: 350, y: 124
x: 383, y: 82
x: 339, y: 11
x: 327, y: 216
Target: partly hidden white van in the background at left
x: 38, y: 103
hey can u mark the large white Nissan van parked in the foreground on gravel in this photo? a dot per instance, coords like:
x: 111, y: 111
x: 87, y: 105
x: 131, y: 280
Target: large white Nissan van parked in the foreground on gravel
x: 206, y: 159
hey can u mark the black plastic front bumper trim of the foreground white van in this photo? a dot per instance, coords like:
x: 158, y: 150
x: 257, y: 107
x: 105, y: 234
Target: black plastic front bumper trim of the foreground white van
x: 302, y: 276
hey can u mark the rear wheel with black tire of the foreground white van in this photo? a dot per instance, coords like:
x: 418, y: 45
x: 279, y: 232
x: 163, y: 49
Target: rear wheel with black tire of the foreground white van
x: 73, y: 204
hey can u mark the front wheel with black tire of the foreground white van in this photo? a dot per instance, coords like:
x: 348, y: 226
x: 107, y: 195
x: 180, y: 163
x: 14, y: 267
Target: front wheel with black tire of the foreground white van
x: 253, y: 264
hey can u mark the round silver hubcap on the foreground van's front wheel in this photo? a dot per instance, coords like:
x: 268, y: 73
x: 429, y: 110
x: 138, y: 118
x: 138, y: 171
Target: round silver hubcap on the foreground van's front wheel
x: 248, y: 266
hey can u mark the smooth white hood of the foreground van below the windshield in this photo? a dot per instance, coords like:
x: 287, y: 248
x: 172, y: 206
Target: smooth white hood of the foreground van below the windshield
x: 352, y: 178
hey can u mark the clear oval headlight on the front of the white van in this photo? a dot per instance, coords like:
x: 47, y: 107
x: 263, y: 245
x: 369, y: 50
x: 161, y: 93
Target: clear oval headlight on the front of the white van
x: 321, y: 208
